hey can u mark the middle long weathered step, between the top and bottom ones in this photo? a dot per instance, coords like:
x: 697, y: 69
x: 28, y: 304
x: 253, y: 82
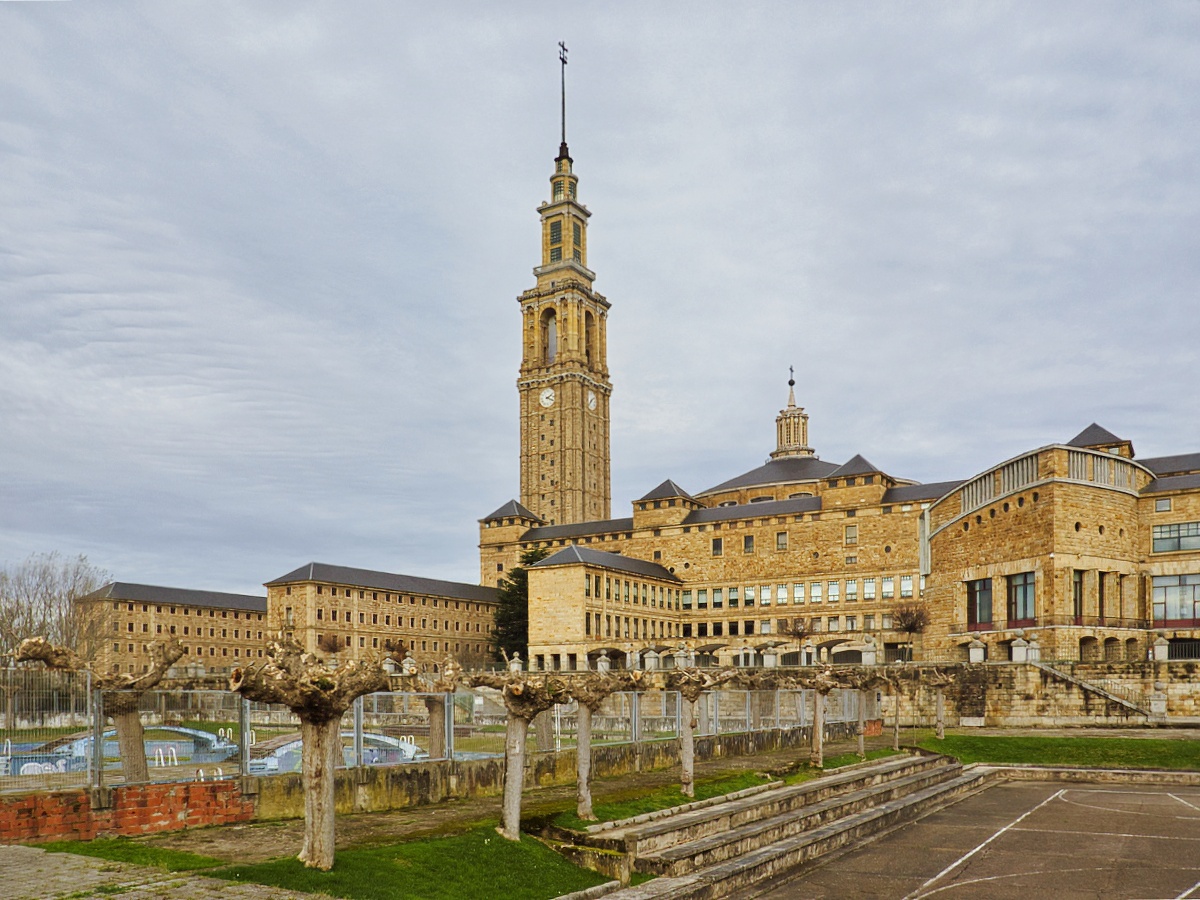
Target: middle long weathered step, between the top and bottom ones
x: 740, y: 841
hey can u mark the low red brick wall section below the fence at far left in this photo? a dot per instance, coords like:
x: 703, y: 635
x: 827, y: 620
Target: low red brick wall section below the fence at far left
x: 135, y: 809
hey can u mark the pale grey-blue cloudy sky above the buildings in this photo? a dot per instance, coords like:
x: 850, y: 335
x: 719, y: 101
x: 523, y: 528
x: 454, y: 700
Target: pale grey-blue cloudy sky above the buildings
x: 259, y: 261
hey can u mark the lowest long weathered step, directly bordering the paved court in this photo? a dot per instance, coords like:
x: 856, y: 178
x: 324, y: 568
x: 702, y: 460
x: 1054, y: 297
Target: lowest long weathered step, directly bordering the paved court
x: 754, y: 871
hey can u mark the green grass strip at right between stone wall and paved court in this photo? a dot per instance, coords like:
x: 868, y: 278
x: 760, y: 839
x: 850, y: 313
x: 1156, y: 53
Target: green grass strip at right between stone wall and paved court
x: 1100, y: 753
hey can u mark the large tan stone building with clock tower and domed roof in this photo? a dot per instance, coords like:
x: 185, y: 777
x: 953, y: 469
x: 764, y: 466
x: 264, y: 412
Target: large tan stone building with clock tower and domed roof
x: 1070, y: 551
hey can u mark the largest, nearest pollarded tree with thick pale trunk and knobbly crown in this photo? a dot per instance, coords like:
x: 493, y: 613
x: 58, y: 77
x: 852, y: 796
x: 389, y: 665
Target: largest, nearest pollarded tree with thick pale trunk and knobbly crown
x: 319, y: 695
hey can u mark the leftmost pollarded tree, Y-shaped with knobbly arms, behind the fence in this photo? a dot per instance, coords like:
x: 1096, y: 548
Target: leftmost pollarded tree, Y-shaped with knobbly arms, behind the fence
x: 121, y: 693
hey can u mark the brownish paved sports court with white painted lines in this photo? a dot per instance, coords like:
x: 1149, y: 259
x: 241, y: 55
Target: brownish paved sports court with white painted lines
x: 1029, y: 841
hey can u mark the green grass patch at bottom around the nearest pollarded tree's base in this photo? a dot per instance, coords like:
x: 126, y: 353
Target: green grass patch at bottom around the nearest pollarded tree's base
x: 476, y: 866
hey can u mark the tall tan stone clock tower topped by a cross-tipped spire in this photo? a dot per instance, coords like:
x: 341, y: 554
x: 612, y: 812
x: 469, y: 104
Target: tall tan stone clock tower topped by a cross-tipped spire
x: 563, y: 383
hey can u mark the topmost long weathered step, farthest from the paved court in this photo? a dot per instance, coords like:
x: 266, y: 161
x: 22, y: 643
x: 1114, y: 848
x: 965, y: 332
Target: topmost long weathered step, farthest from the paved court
x: 643, y: 838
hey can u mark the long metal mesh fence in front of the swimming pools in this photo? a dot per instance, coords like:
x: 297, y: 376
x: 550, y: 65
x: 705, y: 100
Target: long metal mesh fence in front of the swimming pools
x: 57, y: 733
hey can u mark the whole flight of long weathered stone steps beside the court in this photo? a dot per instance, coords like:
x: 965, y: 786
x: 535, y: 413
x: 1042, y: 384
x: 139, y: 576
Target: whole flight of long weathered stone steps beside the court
x: 731, y: 845
